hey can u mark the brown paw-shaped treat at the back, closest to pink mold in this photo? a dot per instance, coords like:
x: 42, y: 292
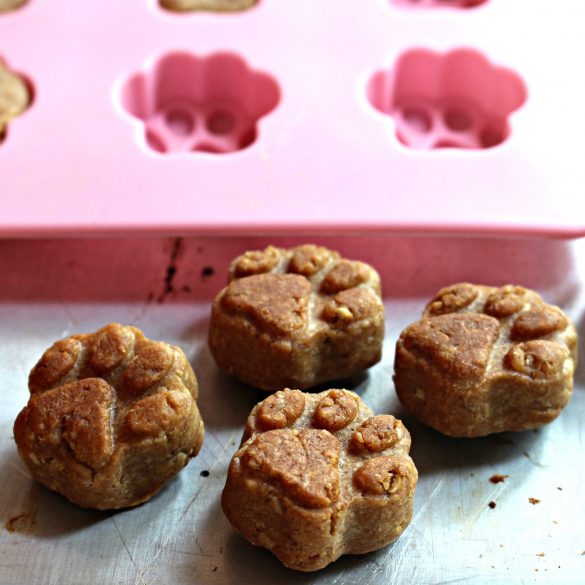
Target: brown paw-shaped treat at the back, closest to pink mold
x: 297, y: 318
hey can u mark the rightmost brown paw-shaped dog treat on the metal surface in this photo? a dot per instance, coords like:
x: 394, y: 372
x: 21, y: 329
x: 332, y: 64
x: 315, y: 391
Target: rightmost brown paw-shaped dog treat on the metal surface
x: 484, y: 360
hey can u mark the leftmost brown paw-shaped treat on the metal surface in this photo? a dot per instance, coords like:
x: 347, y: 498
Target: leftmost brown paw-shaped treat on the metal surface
x: 111, y: 417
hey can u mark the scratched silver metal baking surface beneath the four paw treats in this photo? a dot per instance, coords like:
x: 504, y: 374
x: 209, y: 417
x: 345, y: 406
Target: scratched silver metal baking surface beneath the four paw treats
x: 53, y: 289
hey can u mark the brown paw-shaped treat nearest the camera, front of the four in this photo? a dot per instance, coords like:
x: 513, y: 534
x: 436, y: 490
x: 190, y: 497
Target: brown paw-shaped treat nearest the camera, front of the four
x: 317, y: 476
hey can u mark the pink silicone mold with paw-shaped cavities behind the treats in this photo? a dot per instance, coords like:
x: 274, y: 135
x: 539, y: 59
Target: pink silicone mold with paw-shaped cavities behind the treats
x: 354, y: 116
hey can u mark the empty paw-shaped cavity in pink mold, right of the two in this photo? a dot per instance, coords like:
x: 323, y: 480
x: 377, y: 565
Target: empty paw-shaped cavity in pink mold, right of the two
x: 453, y: 100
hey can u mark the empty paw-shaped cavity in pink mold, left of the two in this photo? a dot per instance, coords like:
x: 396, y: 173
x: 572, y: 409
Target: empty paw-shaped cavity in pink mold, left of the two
x: 211, y: 104
